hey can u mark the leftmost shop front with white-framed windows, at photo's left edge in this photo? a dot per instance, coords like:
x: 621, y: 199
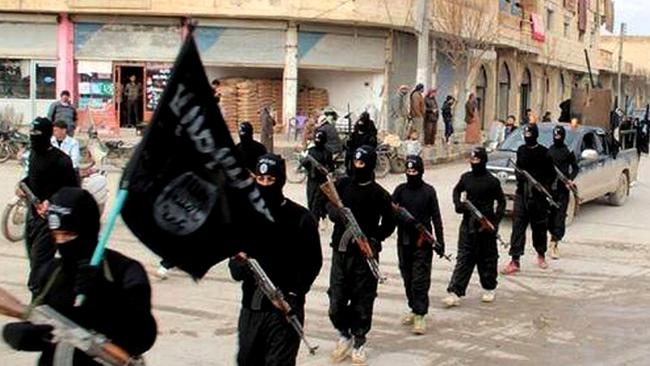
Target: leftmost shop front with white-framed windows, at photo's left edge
x: 28, y: 53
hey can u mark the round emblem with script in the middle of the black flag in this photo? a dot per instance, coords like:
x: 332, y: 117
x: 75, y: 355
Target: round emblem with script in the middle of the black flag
x: 184, y: 204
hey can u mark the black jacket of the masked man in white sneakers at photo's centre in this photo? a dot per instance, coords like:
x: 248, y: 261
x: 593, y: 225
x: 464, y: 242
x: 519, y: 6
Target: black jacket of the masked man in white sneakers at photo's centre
x: 371, y: 206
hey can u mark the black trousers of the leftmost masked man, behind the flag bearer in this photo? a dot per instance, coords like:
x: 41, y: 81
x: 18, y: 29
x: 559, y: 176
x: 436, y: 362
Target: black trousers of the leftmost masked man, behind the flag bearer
x: 40, y: 247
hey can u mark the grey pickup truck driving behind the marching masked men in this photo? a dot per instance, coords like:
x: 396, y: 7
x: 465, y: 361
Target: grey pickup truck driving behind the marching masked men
x: 605, y: 170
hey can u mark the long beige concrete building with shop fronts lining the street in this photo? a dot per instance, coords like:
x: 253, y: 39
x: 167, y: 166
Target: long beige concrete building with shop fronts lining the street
x: 359, y: 51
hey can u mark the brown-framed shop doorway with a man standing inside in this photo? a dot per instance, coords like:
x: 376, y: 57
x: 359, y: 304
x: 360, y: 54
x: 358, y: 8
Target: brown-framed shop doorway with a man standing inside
x: 129, y: 101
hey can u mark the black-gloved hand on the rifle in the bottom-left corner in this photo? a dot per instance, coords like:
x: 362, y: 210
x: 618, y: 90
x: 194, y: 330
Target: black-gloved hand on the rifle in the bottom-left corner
x: 26, y: 336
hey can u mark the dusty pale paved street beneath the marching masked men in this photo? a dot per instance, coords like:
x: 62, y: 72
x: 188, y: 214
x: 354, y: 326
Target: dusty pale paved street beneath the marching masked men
x: 589, y: 308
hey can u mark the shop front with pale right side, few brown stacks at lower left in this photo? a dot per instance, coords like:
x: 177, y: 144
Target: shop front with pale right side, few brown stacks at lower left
x: 347, y: 64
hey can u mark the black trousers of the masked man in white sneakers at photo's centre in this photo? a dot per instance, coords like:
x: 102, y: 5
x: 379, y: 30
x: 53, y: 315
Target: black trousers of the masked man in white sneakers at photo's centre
x: 352, y: 294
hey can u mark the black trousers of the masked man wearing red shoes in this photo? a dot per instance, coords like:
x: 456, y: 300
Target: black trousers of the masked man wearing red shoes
x: 533, y: 211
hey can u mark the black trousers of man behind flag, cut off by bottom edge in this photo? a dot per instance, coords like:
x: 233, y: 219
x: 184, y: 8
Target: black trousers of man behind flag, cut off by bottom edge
x: 266, y: 338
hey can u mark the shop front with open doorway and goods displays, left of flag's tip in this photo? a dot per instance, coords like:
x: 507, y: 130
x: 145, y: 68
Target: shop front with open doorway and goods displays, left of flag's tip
x: 122, y: 68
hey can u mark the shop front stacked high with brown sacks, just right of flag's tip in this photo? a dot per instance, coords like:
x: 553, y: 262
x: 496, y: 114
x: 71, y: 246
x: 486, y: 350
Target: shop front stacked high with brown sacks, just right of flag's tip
x: 247, y: 57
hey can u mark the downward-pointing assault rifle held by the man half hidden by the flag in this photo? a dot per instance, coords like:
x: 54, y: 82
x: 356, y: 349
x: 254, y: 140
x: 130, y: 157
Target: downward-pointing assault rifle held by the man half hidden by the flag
x: 276, y: 297
